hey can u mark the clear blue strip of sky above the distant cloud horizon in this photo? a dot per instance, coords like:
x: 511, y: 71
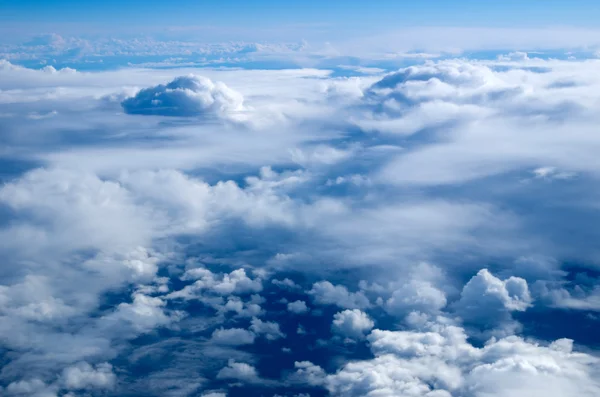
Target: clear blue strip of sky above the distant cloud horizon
x: 148, y: 16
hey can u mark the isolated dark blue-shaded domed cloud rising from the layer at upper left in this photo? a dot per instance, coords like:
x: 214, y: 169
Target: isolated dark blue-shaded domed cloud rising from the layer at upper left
x: 187, y: 96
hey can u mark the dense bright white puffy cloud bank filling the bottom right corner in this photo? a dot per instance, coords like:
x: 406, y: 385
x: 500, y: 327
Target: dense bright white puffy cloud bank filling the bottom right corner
x: 441, y: 363
